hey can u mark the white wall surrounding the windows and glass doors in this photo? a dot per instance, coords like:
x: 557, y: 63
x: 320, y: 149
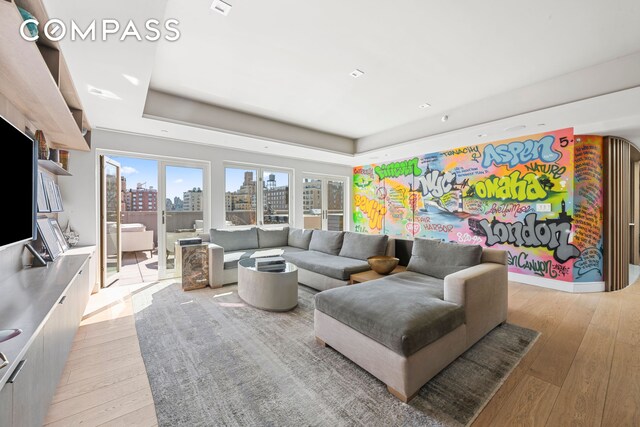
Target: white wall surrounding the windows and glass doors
x: 80, y: 192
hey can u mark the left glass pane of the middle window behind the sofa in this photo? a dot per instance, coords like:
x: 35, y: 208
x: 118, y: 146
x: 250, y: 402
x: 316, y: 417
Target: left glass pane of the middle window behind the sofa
x: 240, y: 196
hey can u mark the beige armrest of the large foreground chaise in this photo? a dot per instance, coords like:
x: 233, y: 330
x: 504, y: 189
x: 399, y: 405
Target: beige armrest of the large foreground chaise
x: 483, y: 292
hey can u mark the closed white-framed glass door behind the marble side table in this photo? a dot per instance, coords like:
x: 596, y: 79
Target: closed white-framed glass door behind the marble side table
x: 183, y: 208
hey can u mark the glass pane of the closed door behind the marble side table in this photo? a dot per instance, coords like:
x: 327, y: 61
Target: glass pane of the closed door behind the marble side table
x: 184, y: 206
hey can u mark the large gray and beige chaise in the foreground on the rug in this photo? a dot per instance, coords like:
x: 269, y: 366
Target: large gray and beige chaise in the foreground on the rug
x: 407, y: 327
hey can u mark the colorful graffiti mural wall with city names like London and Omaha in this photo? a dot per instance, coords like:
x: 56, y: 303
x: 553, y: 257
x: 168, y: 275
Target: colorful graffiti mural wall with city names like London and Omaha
x: 522, y: 195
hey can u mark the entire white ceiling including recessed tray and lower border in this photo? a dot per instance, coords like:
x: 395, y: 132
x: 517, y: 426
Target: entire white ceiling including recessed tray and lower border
x: 486, y: 66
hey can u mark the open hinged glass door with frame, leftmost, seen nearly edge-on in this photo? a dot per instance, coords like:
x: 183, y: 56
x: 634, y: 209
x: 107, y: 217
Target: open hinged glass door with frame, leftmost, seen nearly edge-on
x: 110, y: 205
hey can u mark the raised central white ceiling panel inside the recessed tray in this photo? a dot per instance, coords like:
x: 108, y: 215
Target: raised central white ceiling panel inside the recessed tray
x: 290, y: 60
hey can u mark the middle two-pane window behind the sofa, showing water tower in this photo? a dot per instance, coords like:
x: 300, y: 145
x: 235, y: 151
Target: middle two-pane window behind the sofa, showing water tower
x: 247, y: 189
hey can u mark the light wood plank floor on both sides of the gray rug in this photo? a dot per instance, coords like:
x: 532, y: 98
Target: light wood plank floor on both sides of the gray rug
x: 583, y: 370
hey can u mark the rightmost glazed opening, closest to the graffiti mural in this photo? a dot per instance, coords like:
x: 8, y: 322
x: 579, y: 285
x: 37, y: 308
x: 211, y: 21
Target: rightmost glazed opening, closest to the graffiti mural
x: 323, y: 201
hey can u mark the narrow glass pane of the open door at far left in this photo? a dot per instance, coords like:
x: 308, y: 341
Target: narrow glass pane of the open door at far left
x: 112, y: 201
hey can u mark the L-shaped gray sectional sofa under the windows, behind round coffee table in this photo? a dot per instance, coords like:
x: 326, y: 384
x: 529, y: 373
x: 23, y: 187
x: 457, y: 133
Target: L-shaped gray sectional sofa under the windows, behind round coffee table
x: 325, y: 259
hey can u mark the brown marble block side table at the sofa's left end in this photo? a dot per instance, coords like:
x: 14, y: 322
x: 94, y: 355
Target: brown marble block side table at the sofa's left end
x: 192, y: 263
